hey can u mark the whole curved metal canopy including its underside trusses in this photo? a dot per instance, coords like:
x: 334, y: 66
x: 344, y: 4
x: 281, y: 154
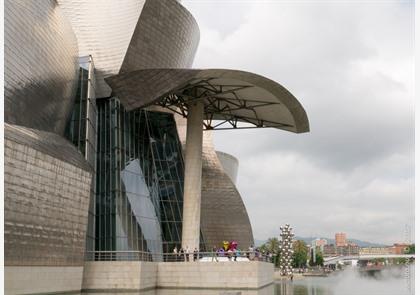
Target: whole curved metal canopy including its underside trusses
x: 229, y: 96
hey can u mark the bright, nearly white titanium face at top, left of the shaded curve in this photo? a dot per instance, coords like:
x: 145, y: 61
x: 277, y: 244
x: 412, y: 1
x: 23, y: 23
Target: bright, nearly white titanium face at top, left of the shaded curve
x: 104, y: 29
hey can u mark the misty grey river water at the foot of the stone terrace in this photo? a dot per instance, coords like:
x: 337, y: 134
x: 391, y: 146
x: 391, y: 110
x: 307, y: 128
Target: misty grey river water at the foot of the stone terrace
x: 390, y: 281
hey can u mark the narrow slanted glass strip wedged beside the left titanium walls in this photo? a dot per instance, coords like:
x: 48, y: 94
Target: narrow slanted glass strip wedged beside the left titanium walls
x: 81, y: 131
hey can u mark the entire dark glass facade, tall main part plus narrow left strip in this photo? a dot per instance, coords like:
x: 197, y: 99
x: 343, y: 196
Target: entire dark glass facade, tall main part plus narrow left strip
x: 137, y: 187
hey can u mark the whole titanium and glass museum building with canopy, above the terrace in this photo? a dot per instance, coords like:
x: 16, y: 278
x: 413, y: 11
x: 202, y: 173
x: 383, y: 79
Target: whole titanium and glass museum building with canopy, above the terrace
x: 108, y: 136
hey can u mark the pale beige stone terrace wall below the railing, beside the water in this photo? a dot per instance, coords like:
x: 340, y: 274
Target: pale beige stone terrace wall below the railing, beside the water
x: 135, y: 275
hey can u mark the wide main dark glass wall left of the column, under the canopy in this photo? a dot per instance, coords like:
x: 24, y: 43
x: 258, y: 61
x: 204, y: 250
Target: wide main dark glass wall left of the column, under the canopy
x: 139, y: 181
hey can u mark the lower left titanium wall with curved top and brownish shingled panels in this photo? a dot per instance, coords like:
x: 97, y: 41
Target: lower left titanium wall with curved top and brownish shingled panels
x: 46, y: 199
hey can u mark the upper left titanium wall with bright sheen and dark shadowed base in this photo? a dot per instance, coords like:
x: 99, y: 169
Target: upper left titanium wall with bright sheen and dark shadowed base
x: 41, y: 65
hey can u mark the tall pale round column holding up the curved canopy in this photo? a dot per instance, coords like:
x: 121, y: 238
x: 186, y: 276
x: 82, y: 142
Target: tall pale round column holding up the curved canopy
x: 192, y: 177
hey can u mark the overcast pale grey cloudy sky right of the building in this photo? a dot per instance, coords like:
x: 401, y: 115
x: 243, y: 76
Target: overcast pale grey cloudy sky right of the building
x: 351, y: 65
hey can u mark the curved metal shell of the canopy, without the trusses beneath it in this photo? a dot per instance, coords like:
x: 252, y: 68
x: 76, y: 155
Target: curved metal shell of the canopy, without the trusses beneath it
x: 145, y: 87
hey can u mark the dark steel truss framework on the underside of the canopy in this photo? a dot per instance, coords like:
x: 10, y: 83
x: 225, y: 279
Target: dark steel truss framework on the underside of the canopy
x: 217, y: 105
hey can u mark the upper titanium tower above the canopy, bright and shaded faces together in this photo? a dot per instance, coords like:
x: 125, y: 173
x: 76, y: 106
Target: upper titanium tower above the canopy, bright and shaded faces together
x: 129, y: 35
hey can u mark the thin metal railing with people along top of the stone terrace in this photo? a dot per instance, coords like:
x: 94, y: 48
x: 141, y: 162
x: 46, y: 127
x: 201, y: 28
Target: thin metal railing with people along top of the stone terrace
x: 178, y: 257
